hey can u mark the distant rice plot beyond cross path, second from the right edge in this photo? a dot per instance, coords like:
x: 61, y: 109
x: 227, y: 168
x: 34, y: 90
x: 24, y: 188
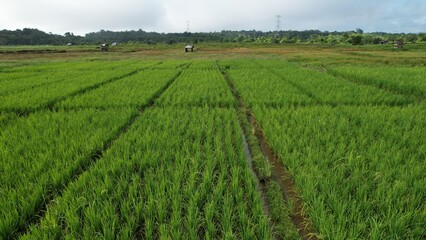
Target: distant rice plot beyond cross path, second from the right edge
x: 333, y: 90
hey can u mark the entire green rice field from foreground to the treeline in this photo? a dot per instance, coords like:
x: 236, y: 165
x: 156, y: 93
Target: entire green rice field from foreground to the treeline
x: 163, y: 144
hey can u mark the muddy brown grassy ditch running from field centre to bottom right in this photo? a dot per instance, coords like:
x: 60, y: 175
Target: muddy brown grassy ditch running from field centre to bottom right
x: 279, y: 174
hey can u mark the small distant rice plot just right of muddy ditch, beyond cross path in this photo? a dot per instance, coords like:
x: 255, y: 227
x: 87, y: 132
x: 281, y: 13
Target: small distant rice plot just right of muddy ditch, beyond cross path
x: 258, y: 86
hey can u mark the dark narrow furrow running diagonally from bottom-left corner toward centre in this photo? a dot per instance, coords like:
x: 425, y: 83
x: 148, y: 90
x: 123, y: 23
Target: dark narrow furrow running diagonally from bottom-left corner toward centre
x: 92, y: 159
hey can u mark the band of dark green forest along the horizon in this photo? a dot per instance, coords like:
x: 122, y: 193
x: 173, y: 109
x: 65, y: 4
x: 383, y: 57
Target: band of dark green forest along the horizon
x: 29, y: 36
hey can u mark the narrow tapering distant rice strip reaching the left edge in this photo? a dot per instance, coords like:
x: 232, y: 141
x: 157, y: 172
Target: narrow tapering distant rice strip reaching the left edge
x: 36, y: 97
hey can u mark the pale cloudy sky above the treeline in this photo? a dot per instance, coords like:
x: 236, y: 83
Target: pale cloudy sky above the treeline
x: 83, y: 16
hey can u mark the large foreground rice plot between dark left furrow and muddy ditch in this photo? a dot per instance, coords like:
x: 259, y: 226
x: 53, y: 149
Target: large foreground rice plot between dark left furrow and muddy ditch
x: 176, y: 174
